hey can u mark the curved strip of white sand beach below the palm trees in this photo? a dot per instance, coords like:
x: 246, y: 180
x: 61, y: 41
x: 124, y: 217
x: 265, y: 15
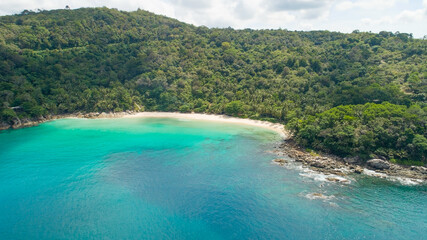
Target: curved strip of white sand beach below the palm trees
x: 277, y: 127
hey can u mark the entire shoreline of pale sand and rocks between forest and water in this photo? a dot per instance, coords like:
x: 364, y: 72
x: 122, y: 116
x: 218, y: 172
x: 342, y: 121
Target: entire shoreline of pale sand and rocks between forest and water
x: 334, y: 167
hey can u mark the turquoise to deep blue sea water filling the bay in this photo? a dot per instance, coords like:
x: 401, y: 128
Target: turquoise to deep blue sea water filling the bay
x: 179, y: 179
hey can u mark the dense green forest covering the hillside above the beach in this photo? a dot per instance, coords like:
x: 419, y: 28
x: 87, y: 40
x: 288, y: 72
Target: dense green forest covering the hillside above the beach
x: 352, y: 94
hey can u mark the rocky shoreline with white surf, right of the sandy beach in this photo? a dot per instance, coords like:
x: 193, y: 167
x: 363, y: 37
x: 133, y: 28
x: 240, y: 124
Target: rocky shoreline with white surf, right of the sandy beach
x: 334, y: 166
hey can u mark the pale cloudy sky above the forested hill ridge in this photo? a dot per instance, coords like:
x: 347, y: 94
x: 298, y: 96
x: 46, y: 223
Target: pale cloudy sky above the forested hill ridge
x: 409, y: 16
